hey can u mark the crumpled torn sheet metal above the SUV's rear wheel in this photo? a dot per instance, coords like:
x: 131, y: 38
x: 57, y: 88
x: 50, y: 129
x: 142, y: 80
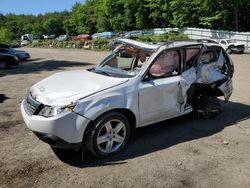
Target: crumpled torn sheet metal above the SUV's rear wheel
x: 211, y: 72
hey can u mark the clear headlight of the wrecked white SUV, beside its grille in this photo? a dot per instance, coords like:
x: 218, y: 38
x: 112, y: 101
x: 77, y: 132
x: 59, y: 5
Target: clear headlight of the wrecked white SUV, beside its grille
x: 50, y: 111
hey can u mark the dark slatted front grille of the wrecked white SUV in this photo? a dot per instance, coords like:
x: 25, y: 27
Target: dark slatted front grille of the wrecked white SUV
x: 32, y: 106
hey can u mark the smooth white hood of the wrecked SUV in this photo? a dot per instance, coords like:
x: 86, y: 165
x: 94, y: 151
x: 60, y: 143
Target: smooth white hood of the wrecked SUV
x: 63, y: 88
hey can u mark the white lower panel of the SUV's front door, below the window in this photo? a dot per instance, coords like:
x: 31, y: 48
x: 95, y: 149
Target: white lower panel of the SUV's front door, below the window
x: 158, y: 99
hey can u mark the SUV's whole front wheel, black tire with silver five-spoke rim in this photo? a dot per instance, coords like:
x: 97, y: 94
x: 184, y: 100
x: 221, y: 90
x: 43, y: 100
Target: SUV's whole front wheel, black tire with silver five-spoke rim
x: 108, y: 135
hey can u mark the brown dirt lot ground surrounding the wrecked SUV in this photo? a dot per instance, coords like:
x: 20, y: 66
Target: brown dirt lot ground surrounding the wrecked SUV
x: 183, y: 152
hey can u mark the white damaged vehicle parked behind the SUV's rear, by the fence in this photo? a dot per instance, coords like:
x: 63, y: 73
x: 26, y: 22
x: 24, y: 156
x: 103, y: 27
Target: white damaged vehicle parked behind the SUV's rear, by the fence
x: 231, y: 46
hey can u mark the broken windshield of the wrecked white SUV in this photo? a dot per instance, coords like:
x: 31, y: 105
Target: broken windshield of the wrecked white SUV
x: 124, y: 62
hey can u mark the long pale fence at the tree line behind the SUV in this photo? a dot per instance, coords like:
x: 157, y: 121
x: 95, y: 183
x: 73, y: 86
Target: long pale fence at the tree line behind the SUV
x: 197, y: 33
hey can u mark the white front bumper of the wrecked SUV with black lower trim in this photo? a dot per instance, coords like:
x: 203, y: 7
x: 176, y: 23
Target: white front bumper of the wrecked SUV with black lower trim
x: 63, y: 131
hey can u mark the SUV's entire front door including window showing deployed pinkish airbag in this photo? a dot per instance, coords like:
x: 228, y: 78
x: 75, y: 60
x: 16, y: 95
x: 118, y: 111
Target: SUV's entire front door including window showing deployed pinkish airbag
x: 159, y: 93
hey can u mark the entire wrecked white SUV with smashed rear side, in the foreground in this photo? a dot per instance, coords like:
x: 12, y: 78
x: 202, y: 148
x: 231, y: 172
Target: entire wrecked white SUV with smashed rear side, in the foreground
x: 136, y: 85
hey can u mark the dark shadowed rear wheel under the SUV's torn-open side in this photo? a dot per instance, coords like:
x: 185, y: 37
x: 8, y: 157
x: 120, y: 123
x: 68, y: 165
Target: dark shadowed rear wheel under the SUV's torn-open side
x: 207, y: 107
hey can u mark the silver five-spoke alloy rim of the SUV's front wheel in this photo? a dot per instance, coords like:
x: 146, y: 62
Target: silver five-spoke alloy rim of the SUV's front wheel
x: 111, y: 136
